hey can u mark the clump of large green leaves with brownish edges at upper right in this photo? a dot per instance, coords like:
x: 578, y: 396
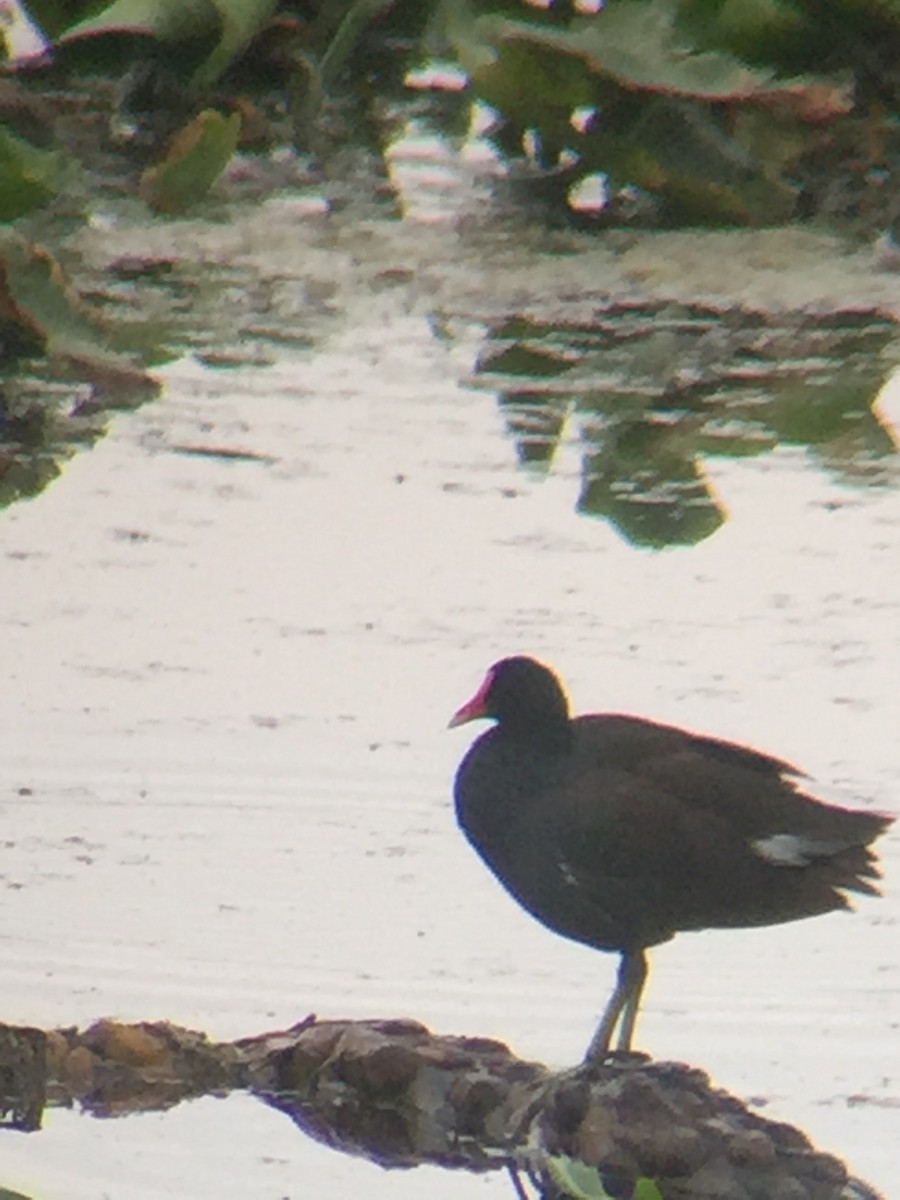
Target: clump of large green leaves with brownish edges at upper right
x: 704, y: 111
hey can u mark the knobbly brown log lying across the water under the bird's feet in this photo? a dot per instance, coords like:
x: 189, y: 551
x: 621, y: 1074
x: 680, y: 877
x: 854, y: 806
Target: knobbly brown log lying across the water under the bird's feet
x: 398, y: 1095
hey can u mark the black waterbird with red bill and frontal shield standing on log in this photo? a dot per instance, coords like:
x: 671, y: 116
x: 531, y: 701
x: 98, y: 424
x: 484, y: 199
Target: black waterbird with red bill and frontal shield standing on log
x: 620, y: 832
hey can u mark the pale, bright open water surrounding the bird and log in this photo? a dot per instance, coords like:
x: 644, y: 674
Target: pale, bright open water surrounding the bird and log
x: 226, y: 781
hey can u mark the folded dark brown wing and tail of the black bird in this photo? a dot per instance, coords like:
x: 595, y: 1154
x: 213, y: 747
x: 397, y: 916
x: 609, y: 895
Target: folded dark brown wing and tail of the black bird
x: 712, y: 835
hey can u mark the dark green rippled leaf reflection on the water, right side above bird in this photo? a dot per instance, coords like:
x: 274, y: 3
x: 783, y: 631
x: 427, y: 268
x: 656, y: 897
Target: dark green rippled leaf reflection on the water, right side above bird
x: 658, y: 388
